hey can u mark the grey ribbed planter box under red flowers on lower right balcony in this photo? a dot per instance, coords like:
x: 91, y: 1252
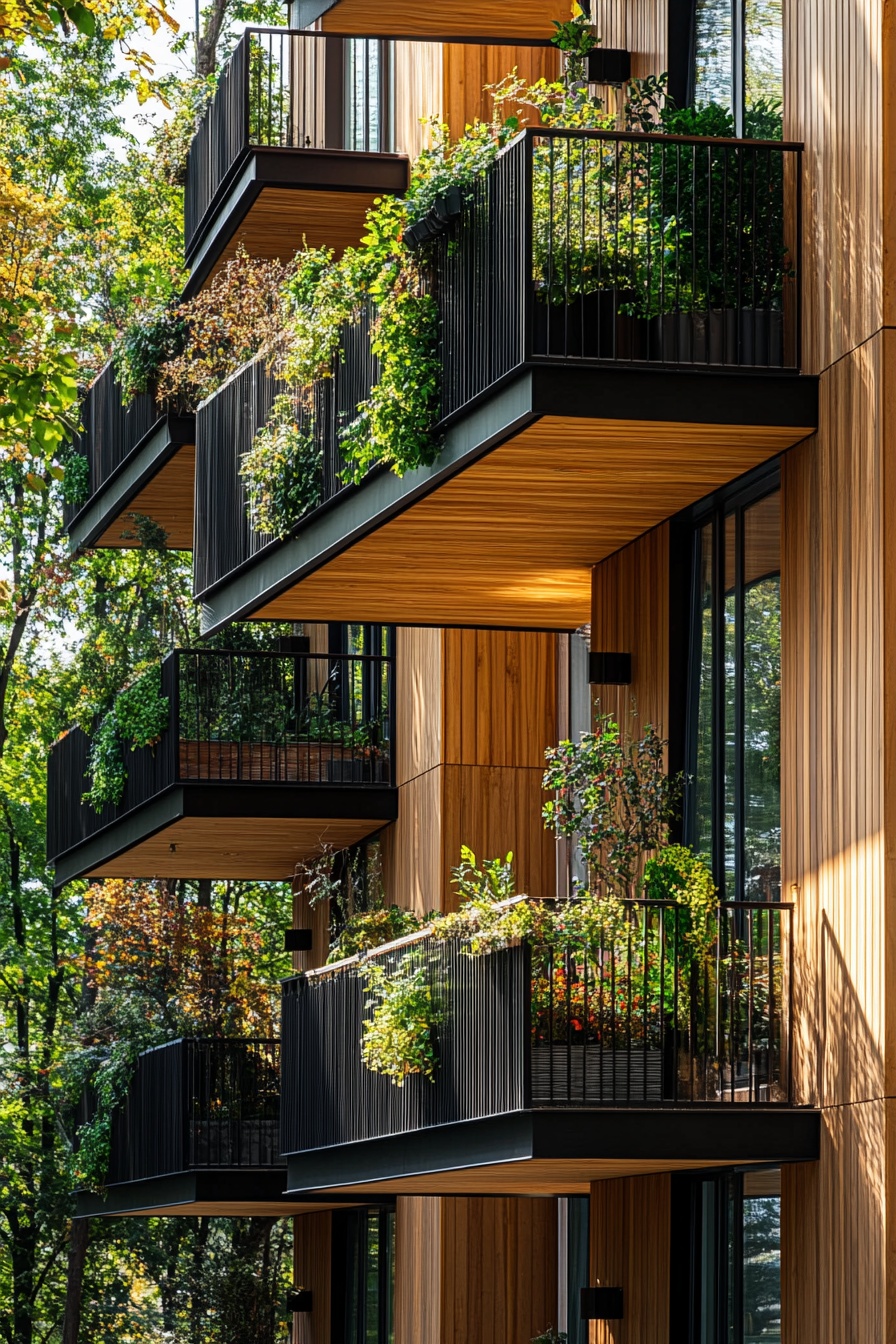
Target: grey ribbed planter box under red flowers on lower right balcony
x: 588, y: 1075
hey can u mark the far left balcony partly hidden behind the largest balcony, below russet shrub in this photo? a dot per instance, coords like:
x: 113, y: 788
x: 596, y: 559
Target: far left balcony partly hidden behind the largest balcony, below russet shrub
x: 140, y: 462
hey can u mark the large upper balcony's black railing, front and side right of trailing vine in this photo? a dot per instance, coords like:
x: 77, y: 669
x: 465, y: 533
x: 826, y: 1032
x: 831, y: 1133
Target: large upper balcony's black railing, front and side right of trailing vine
x: 613, y: 247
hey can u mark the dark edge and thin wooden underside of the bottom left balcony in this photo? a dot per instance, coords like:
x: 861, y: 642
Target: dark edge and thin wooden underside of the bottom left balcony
x: 208, y: 1194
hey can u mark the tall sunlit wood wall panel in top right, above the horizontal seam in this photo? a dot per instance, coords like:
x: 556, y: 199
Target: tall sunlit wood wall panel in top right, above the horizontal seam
x: 836, y: 103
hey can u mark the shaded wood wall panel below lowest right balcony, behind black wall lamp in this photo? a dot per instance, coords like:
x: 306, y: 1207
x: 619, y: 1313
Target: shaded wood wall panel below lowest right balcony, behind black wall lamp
x: 631, y: 1229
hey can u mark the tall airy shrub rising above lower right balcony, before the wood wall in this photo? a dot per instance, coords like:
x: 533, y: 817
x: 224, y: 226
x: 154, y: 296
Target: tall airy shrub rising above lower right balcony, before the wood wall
x: 615, y: 799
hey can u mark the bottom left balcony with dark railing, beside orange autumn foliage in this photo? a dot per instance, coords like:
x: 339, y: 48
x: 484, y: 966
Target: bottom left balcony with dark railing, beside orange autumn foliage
x: 198, y: 1134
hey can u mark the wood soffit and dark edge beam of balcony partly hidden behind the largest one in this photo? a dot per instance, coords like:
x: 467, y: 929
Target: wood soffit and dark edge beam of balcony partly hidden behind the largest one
x: 155, y: 480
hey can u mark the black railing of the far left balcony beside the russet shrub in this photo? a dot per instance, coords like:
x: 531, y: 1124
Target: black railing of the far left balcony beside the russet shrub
x: 112, y: 431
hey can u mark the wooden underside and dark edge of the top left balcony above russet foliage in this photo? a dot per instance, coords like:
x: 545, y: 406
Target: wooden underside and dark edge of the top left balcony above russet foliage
x: 284, y: 198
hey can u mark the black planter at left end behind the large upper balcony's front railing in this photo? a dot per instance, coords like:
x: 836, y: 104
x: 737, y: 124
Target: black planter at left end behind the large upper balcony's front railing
x: 589, y: 327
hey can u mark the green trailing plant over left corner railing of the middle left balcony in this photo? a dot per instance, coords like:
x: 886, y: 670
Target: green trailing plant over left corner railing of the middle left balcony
x: 138, y: 718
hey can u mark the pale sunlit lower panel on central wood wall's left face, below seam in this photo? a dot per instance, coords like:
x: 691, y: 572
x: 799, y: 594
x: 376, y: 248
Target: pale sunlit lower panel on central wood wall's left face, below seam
x: 413, y: 846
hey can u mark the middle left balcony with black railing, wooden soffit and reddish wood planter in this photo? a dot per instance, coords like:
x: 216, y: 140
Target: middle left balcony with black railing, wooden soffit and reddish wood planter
x: 265, y: 759
